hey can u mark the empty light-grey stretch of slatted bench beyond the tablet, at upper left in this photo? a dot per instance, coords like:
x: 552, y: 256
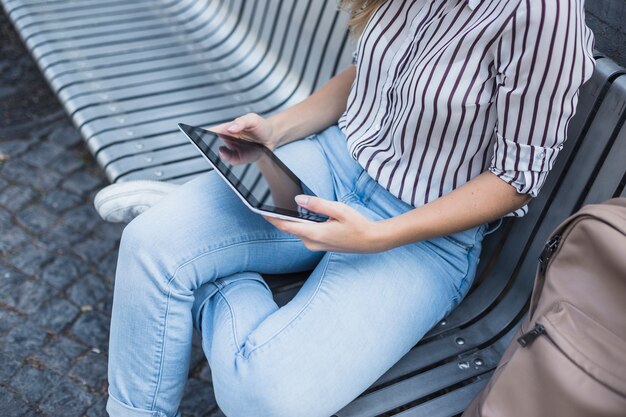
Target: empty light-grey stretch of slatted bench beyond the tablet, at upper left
x: 127, y: 73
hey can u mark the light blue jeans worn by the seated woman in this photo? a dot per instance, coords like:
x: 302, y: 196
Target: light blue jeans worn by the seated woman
x: 195, y: 259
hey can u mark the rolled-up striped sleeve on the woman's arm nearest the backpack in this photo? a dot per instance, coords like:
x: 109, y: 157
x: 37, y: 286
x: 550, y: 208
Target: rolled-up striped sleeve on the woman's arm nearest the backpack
x: 543, y: 58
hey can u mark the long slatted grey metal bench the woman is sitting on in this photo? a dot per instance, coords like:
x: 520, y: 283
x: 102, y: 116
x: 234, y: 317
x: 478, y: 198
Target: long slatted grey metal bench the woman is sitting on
x: 127, y: 72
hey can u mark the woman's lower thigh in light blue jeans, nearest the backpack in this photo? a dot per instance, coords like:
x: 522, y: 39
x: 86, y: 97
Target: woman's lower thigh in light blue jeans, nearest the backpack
x: 353, y: 319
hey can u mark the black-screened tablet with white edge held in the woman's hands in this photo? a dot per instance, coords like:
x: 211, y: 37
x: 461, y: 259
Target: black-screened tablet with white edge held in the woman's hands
x: 256, y: 175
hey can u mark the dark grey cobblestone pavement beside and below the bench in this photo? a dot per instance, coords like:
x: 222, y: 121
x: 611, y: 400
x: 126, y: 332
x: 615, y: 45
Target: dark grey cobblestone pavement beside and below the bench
x: 57, y: 258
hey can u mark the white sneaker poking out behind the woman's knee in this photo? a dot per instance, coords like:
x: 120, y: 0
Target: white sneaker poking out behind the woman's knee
x: 122, y: 202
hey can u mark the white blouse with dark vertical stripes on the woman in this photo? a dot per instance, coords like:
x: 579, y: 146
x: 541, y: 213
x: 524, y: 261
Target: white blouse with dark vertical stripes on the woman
x: 447, y: 89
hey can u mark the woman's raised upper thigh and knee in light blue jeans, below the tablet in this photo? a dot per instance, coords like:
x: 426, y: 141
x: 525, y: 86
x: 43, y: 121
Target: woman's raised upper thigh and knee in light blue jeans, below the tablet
x: 203, y: 231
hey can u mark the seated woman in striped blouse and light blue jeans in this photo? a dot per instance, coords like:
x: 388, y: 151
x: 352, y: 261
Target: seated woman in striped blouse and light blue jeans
x: 450, y: 118
